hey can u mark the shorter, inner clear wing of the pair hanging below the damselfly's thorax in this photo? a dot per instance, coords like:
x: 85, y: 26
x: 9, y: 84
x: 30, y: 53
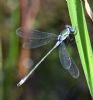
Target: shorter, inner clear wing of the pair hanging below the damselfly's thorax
x: 64, y: 56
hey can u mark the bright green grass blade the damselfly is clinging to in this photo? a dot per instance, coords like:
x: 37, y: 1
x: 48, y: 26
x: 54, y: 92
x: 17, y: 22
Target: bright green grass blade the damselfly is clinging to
x: 78, y: 20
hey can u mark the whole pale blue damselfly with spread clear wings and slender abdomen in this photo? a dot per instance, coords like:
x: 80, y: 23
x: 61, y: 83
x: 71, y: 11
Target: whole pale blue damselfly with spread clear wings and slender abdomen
x: 36, y: 39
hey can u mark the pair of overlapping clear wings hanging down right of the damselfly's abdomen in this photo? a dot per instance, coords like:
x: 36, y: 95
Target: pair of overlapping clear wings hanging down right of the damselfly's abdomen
x: 67, y: 61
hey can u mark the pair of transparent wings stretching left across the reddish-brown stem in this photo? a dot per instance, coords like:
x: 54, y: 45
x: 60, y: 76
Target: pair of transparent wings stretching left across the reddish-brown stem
x: 35, y: 38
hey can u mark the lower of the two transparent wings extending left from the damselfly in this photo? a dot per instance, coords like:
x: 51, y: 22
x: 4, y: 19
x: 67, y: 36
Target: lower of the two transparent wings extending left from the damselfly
x: 35, y: 43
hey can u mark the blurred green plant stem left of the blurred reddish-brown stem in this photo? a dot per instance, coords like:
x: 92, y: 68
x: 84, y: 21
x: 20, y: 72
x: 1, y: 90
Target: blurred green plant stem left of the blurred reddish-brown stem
x: 12, y: 55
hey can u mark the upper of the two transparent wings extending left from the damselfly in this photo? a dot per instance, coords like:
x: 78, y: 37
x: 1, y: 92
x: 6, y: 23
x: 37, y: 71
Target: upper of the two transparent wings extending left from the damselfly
x: 35, y: 34
